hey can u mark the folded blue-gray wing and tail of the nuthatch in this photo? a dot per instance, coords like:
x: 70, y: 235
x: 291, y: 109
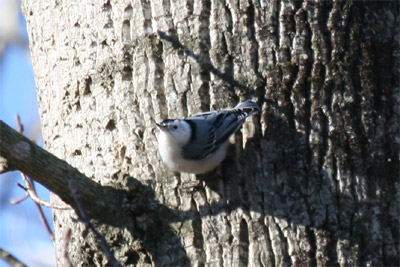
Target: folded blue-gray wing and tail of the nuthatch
x: 213, y: 128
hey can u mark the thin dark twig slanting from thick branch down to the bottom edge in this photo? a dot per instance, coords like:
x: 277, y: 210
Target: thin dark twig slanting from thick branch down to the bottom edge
x: 85, y: 218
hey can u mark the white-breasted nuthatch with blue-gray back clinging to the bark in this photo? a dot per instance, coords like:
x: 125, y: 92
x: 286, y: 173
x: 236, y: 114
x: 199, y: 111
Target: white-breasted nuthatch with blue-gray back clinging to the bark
x: 198, y: 144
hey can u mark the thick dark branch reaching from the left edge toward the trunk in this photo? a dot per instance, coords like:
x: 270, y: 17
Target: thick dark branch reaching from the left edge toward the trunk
x: 18, y: 152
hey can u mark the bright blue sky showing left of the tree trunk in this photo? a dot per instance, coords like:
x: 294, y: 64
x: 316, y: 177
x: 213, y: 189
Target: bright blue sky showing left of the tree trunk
x: 21, y: 231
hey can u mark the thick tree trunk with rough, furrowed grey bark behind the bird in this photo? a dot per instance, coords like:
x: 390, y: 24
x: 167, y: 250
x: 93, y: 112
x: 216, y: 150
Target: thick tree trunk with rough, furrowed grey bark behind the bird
x: 311, y: 180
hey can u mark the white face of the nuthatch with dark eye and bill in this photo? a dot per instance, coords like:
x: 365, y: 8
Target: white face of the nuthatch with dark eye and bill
x: 178, y: 129
